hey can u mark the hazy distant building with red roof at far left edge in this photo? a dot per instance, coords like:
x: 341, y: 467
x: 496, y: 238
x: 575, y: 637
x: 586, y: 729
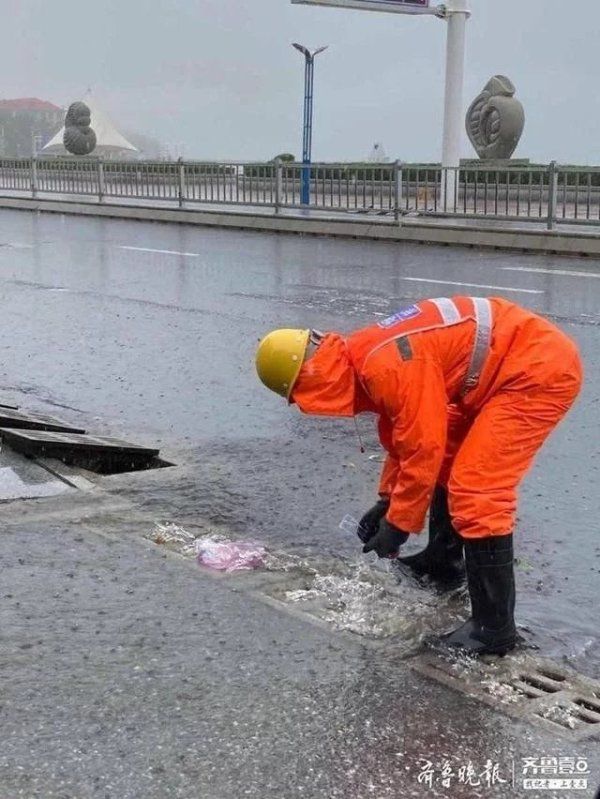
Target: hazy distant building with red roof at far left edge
x: 26, y: 125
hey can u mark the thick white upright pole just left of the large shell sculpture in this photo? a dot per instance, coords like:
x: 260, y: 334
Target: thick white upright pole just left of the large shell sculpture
x: 457, y: 13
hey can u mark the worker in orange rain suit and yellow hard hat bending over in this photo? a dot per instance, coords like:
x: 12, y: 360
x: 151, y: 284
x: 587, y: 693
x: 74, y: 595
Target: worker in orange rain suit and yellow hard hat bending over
x: 467, y: 390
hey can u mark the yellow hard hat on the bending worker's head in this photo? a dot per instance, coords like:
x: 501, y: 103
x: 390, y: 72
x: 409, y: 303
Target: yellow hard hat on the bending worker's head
x: 279, y: 358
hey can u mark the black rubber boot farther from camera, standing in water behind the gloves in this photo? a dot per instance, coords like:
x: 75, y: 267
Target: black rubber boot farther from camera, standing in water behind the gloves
x: 442, y: 558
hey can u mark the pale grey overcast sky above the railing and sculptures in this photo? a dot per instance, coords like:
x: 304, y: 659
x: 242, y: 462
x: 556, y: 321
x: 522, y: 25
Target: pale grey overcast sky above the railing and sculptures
x: 219, y: 78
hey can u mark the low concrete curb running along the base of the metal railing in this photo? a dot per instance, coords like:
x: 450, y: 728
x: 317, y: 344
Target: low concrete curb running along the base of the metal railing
x: 468, y: 233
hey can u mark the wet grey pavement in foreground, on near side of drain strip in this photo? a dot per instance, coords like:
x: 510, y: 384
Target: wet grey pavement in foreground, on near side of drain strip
x: 129, y: 672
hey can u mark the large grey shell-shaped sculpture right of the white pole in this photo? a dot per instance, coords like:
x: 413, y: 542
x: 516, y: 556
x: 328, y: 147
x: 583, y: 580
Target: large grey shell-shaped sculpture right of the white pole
x: 495, y: 120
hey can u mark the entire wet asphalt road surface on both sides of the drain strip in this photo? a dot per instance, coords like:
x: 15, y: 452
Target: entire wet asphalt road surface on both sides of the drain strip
x: 130, y: 675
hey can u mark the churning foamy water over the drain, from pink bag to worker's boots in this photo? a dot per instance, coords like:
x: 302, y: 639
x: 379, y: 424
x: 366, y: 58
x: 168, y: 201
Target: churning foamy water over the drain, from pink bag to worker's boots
x: 349, y: 596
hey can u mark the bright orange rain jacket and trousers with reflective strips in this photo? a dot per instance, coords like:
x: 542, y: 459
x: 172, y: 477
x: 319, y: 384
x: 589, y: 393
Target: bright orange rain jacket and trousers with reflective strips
x: 479, y: 440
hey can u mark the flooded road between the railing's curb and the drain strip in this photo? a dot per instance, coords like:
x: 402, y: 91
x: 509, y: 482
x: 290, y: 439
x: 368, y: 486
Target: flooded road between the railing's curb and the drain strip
x: 149, y: 331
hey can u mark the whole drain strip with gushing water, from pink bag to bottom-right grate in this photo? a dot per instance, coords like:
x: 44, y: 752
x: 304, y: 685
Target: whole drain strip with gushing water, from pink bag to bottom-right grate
x: 392, y: 616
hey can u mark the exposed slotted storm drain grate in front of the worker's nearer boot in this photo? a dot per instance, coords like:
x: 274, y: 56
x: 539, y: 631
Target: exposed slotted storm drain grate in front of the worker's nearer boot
x: 524, y: 687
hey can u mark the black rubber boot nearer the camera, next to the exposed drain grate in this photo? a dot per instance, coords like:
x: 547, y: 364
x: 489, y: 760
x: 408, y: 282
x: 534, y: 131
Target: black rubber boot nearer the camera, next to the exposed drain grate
x: 491, y: 581
